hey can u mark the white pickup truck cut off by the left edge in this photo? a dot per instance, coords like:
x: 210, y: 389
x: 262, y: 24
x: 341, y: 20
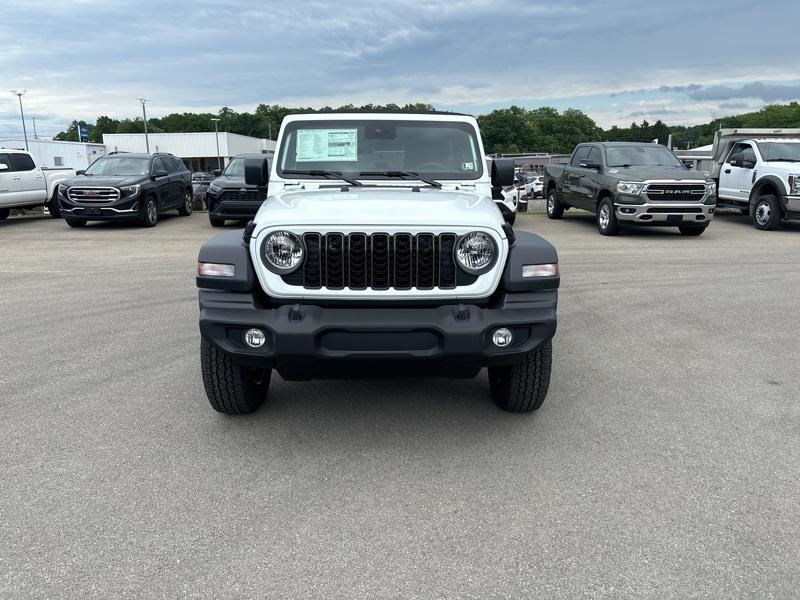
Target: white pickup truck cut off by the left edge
x: 23, y: 184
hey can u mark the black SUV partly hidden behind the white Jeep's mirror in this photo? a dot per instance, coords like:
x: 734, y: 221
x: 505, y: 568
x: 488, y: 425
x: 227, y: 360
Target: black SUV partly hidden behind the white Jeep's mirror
x: 229, y: 197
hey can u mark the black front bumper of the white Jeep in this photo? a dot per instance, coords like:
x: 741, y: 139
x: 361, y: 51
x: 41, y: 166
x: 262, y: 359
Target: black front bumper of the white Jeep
x: 310, y: 342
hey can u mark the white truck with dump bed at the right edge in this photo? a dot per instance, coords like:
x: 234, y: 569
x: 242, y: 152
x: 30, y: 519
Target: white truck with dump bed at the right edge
x: 758, y: 172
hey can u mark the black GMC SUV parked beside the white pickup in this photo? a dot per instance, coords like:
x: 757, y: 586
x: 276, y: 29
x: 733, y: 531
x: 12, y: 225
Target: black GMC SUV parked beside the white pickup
x: 127, y: 186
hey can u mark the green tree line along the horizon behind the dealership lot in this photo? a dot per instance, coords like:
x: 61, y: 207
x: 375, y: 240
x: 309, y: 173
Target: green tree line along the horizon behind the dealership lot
x: 505, y: 130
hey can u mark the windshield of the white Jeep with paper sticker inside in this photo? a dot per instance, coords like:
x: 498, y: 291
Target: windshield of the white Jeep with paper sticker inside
x: 377, y: 149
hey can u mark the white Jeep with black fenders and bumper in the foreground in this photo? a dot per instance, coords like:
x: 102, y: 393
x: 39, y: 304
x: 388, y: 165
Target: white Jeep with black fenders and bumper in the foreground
x: 379, y: 252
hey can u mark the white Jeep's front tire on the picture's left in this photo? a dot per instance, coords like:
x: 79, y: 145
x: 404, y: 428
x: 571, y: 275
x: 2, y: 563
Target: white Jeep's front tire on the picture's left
x: 231, y: 389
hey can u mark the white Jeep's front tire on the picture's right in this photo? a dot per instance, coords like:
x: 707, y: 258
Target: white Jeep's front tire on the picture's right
x: 523, y: 387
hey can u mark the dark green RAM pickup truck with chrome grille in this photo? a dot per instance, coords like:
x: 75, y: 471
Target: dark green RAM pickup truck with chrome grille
x: 625, y: 183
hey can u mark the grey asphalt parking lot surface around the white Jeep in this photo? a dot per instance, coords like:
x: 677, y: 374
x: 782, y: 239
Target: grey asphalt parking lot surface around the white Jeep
x: 664, y: 463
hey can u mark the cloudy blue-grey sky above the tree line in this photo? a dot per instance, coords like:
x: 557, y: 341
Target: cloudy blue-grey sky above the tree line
x: 618, y: 60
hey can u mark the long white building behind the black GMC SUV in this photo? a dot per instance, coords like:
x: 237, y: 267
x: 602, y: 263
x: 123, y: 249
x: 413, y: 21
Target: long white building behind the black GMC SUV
x: 198, y: 150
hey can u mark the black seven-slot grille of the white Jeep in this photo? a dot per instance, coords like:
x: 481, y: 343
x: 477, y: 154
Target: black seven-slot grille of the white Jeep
x: 380, y: 261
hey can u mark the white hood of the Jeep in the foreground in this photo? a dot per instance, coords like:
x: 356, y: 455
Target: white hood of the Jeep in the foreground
x: 380, y: 207
